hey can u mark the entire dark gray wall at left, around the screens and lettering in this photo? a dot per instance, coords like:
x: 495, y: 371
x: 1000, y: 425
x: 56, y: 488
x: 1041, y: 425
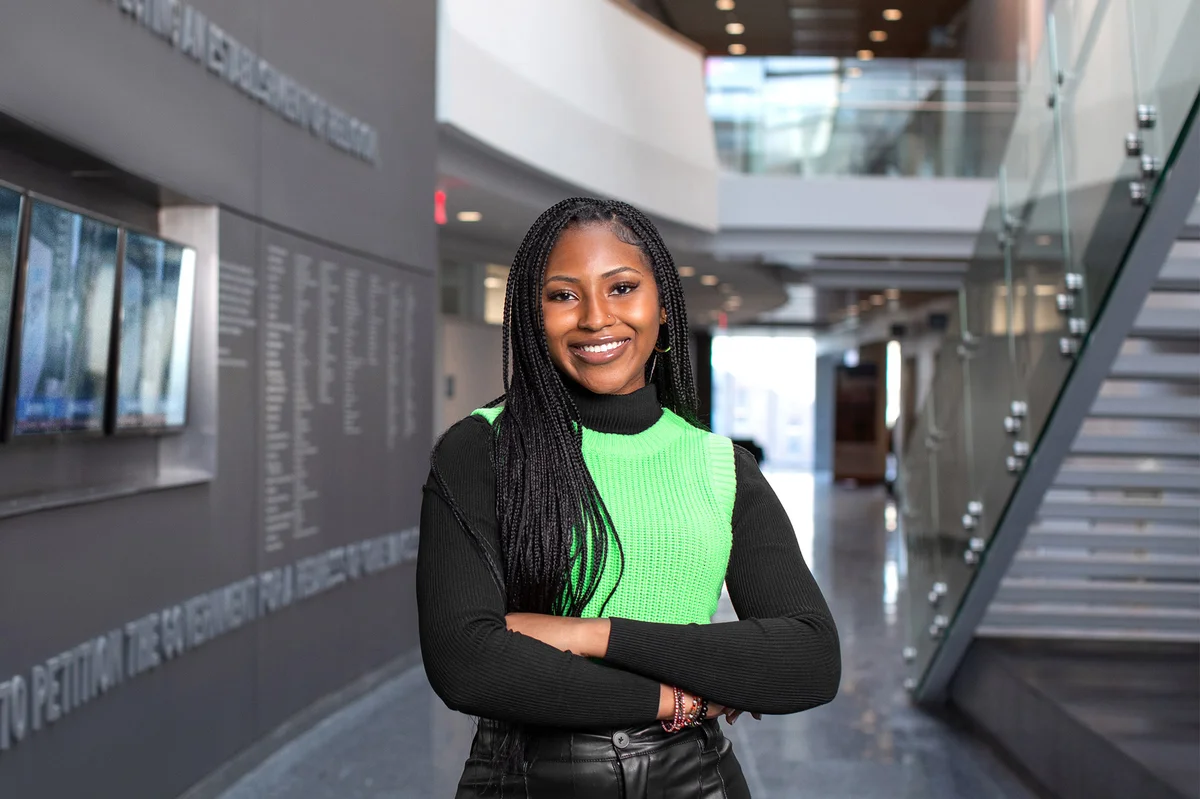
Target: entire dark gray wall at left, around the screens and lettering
x: 82, y: 73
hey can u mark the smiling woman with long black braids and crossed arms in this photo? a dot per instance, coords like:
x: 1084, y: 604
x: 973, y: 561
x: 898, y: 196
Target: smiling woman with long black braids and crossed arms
x: 575, y: 537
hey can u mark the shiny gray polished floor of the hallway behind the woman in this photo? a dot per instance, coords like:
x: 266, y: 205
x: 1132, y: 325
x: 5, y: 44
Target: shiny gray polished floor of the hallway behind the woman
x: 401, y: 742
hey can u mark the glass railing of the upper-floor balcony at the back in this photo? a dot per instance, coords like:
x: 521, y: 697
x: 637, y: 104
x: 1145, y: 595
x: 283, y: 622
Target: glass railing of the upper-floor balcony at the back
x: 821, y: 117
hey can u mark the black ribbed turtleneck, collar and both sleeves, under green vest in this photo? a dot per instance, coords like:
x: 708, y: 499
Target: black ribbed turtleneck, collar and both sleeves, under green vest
x: 783, y: 657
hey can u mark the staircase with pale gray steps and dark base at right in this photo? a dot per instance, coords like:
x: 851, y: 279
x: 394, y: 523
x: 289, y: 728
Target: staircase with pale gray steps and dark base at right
x: 1087, y: 666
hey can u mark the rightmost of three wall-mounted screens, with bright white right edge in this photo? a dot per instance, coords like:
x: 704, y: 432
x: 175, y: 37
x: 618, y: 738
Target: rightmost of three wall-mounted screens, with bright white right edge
x: 158, y: 287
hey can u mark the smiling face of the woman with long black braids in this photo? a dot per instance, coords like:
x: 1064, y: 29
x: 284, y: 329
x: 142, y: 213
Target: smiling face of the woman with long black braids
x: 602, y: 311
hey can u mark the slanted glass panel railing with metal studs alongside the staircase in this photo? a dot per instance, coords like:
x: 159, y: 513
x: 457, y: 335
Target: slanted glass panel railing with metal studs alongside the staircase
x: 1111, y: 95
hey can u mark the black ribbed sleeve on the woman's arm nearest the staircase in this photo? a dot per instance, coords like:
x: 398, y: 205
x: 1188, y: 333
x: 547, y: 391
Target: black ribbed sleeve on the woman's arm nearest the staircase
x: 783, y: 656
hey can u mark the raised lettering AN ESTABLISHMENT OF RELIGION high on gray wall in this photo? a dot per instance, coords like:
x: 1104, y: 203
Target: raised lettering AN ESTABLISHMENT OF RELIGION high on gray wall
x: 194, y: 35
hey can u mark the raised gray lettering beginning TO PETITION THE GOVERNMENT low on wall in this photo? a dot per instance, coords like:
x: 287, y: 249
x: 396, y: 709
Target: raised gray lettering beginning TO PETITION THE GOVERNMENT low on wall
x: 68, y: 682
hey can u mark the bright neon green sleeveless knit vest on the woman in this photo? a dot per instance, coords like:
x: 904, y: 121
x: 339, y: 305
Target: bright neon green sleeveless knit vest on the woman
x: 670, y: 492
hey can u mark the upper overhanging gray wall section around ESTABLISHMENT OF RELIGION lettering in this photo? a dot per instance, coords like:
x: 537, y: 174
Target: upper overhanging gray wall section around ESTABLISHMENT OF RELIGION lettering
x: 89, y: 74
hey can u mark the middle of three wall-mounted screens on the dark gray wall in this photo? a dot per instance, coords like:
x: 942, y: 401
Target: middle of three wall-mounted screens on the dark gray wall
x: 67, y: 322
